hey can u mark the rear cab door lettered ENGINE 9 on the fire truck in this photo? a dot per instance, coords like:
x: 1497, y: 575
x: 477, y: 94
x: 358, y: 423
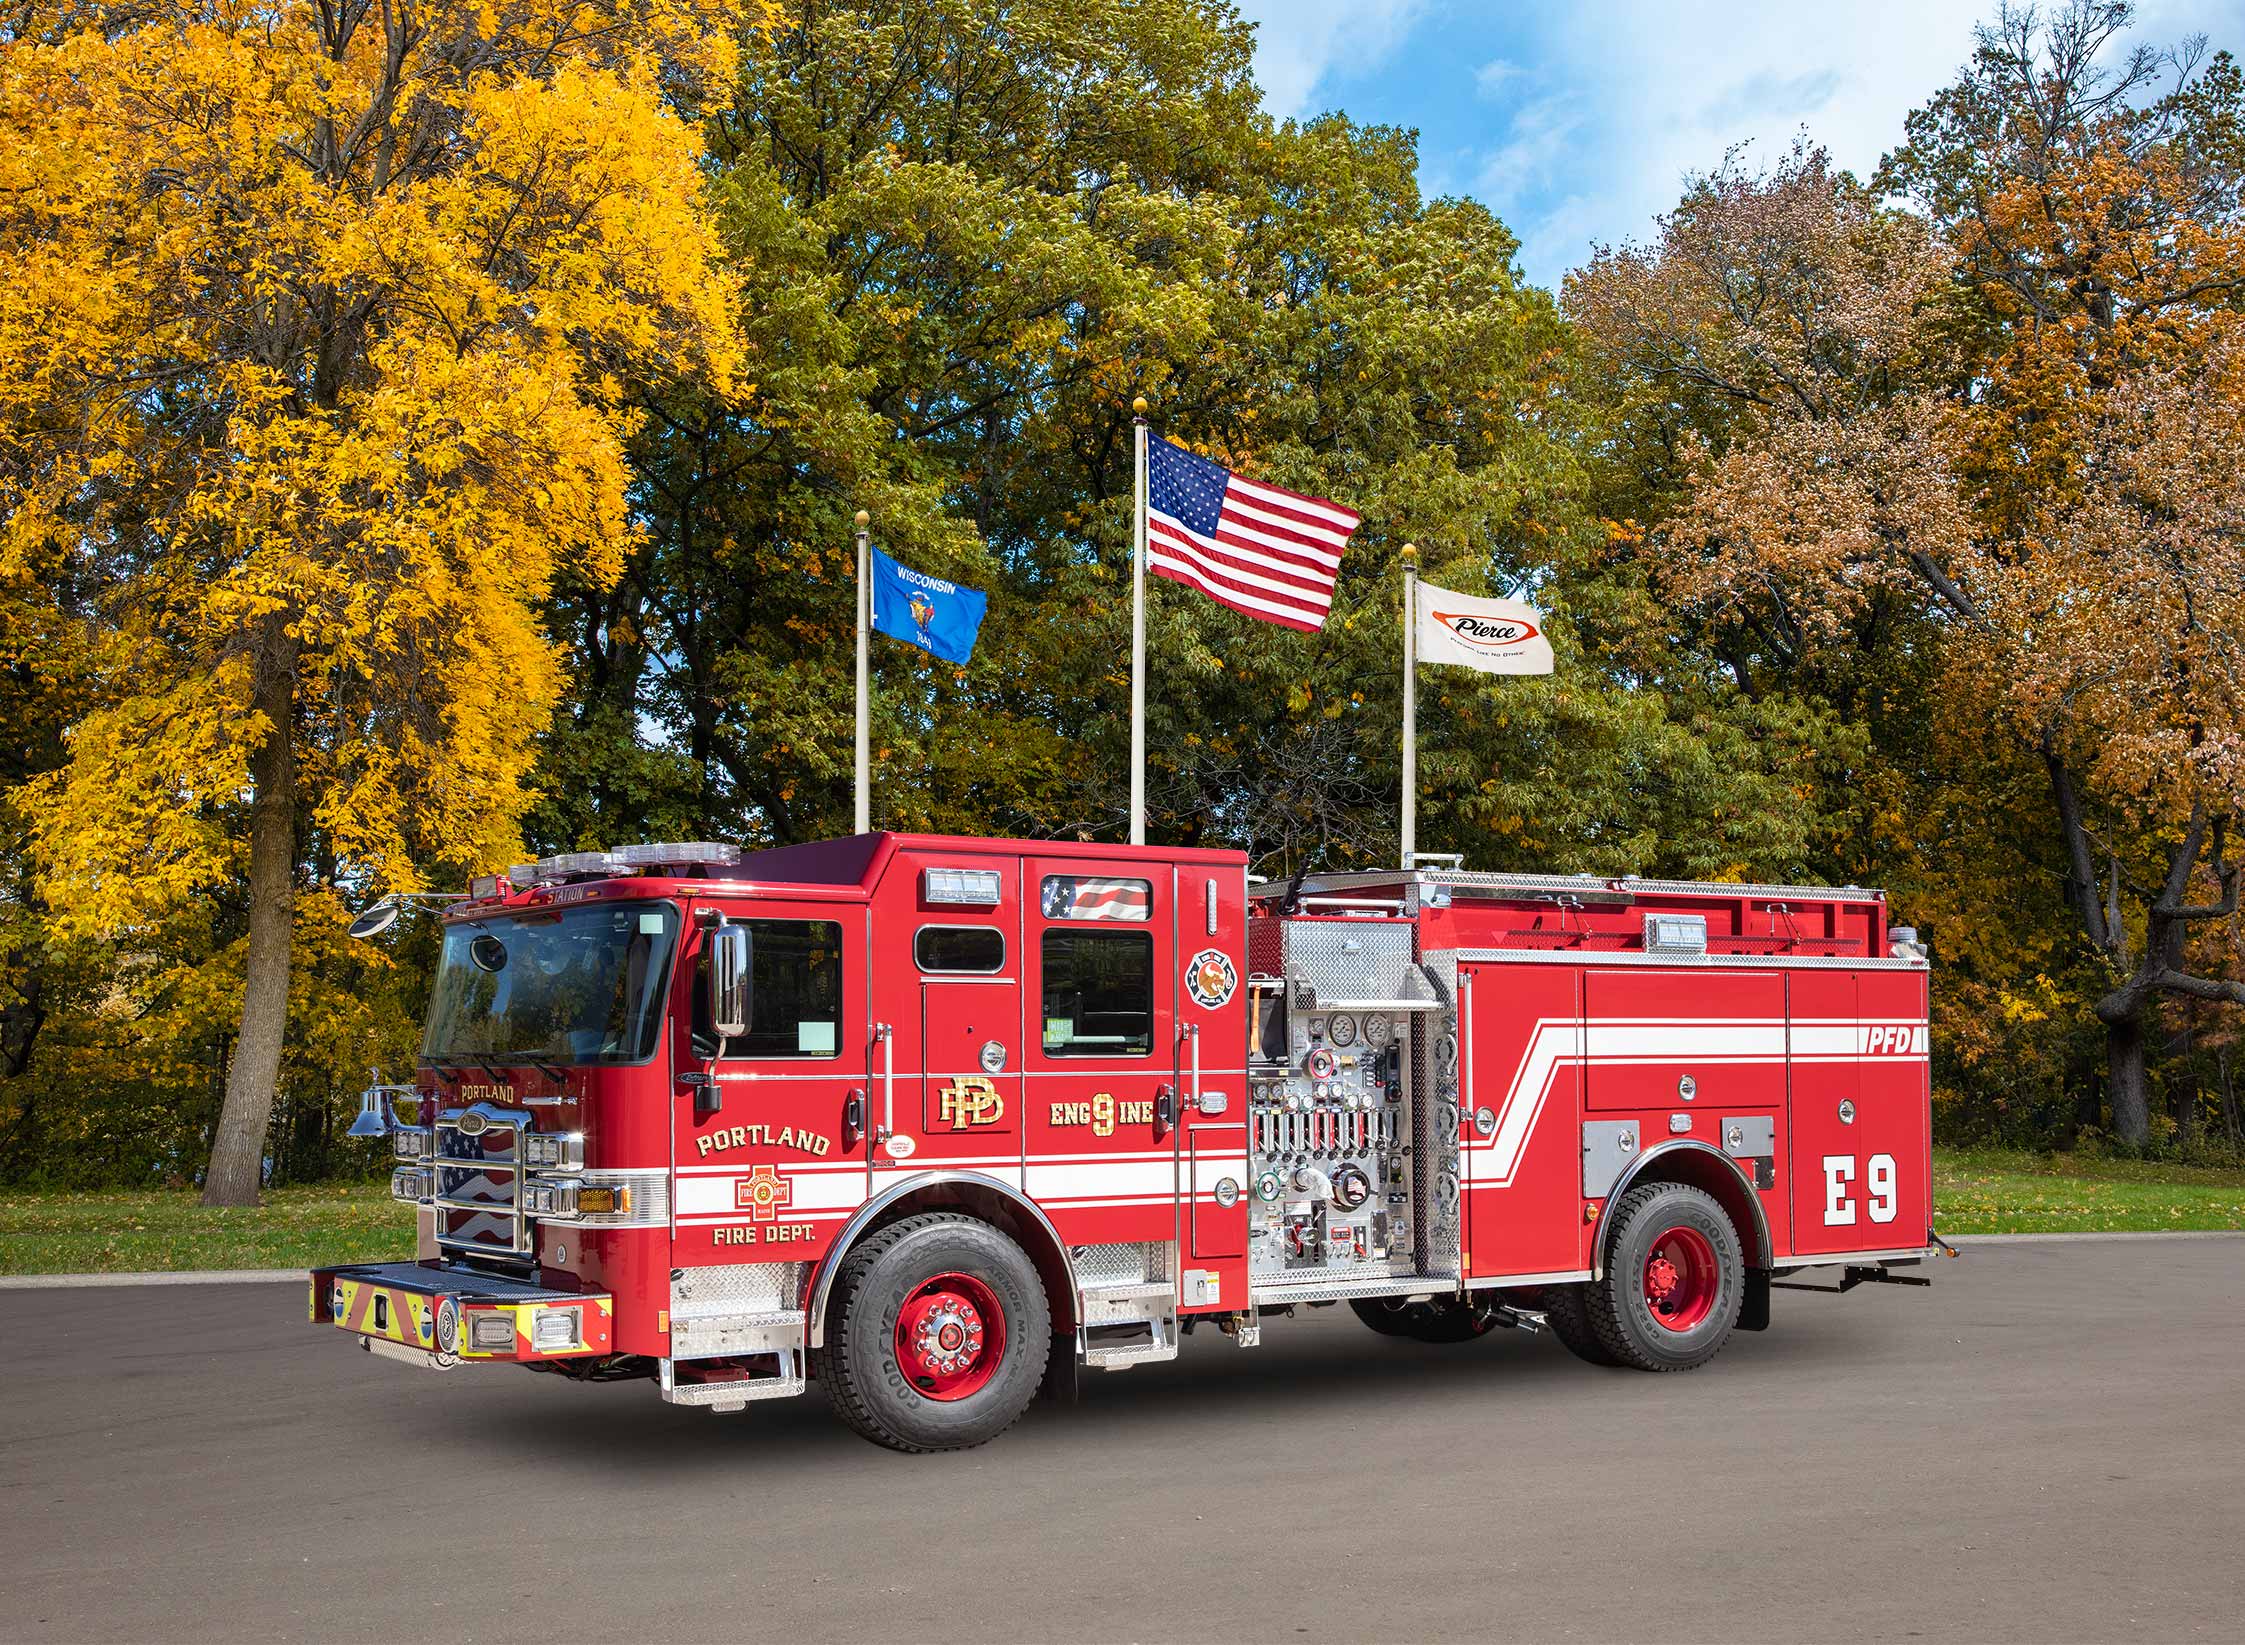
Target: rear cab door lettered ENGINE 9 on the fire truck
x: 1101, y: 1049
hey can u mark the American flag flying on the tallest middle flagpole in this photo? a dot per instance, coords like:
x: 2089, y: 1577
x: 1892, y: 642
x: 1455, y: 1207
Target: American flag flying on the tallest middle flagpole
x: 1247, y: 546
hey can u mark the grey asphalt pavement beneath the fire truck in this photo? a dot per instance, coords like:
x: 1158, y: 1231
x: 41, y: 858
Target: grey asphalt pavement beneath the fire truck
x: 2044, y: 1446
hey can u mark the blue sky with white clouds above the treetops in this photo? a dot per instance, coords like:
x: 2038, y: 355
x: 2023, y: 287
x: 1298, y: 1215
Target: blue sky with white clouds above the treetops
x: 1577, y: 122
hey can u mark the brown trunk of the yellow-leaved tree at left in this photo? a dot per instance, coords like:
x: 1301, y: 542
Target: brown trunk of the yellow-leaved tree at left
x: 239, y: 1146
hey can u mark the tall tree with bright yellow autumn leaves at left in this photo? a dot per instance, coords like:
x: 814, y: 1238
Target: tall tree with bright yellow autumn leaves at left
x: 315, y: 362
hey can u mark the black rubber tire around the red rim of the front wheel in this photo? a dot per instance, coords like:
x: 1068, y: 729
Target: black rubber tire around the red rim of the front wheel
x: 861, y: 1368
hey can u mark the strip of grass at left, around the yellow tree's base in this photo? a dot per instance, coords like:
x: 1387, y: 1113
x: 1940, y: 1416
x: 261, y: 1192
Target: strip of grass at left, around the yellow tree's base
x: 169, y: 1231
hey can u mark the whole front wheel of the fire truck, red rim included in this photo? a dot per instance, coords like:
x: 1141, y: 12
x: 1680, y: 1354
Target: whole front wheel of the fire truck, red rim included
x: 940, y: 1334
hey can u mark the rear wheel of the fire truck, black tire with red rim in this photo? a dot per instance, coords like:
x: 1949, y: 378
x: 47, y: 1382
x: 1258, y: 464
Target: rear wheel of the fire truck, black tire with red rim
x: 1627, y: 1318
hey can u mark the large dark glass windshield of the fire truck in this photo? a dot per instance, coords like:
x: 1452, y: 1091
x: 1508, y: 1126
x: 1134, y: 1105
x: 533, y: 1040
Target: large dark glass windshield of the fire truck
x: 571, y: 986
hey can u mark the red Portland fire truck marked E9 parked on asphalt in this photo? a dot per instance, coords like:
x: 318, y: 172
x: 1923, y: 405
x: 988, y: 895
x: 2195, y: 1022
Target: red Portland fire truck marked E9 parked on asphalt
x: 944, y: 1121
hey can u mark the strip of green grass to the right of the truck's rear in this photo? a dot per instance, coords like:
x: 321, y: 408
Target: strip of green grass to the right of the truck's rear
x: 2004, y: 1193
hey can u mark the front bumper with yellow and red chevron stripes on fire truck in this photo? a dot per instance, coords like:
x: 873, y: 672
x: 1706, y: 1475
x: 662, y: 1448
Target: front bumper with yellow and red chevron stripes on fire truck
x: 443, y: 1316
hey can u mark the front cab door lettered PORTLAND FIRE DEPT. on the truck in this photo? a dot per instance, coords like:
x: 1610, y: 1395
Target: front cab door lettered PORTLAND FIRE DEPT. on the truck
x: 769, y: 1132
